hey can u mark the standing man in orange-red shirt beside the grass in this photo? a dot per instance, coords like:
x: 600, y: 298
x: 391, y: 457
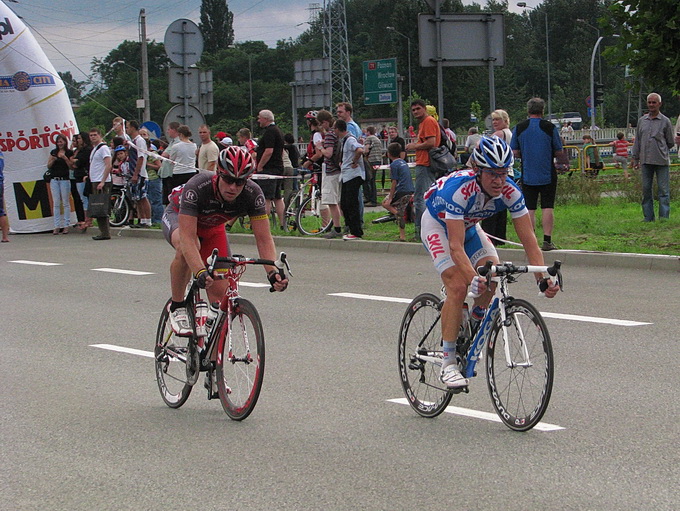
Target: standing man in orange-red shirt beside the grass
x: 428, y: 138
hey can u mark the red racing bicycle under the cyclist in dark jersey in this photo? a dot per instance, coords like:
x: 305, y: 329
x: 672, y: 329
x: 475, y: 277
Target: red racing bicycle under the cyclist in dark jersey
x: 227, y: 342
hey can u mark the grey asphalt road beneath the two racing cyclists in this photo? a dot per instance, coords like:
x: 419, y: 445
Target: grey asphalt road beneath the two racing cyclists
x: 85, y: 428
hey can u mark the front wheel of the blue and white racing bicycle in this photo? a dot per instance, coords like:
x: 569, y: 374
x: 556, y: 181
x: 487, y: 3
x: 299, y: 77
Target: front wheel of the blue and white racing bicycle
x: 520, y: 386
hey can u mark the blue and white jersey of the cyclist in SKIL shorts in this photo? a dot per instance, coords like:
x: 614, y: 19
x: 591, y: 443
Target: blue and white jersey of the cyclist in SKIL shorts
x: 458, y: 196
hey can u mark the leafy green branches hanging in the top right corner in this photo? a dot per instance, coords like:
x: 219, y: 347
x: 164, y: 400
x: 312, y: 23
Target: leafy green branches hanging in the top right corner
x: 650, y: 40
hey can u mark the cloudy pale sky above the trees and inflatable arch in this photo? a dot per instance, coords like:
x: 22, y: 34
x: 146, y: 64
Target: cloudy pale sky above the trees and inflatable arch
x: 72, y: 32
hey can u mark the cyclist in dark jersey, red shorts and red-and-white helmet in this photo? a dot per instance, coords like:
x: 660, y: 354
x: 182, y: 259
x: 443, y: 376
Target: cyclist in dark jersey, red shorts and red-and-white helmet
x: 193, y: 223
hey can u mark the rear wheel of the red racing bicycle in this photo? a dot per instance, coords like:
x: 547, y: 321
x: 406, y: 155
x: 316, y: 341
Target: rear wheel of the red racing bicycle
x: 171, y: 354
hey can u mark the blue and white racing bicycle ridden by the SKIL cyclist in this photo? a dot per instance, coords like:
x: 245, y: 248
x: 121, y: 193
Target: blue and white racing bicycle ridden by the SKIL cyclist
x: 519, y: 358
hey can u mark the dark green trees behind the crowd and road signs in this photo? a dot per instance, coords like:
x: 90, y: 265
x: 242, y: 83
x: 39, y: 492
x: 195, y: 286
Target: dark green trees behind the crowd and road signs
x: 573, y: 27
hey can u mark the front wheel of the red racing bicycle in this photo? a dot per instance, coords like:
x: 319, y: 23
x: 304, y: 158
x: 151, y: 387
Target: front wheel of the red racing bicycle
x: 240, y: 370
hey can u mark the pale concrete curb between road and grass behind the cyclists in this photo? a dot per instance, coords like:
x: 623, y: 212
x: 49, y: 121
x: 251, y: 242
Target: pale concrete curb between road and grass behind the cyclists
x: 568, y: 257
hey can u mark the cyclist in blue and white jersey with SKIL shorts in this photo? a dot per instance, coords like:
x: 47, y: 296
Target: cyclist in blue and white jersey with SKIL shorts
x: 451, y: 232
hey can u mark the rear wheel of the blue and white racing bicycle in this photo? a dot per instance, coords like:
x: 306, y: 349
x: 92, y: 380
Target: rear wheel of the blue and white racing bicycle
x: 420, y: 338
